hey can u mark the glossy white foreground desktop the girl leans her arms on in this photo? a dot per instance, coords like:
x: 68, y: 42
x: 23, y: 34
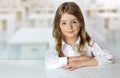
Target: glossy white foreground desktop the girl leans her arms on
x: 36, y: 69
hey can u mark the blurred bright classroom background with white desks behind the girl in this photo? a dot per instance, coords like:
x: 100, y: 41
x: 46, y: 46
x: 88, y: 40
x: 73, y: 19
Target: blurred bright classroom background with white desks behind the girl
x: 26, y: 26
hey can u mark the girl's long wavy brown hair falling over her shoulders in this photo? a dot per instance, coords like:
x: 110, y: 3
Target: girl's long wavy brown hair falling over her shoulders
x: 73, y: 9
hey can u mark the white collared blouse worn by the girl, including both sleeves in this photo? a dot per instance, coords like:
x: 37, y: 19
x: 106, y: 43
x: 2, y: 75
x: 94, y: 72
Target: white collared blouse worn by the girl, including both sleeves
x: 52, y: 60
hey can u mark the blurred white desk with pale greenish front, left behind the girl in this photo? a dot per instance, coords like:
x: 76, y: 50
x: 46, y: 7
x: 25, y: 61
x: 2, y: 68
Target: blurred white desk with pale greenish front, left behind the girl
x: 29, y: 43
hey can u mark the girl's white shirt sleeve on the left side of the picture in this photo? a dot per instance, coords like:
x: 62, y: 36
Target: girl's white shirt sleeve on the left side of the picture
x: 52, y: 60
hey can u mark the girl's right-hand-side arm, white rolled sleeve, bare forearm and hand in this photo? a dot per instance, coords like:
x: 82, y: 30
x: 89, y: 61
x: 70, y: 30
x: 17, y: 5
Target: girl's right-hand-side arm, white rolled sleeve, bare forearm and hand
x: 98, y: 57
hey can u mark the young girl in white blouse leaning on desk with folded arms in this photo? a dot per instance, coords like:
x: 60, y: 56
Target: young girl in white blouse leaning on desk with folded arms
x: 72, y: 47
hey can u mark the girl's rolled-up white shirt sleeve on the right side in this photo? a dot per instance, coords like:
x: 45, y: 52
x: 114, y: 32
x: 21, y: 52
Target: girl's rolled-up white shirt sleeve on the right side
x: 102, y: 56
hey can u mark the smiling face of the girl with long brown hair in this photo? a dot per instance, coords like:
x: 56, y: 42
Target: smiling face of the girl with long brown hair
x: 69, y: 26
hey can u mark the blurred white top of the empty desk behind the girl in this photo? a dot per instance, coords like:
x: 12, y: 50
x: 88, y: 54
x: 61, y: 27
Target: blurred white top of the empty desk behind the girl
x: 31, y: 35
